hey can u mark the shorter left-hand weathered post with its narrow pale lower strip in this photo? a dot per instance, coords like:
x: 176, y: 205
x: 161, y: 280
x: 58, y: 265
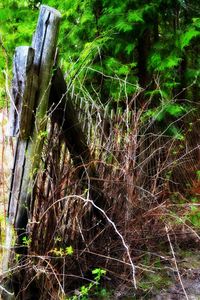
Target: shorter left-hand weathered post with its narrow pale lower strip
x: 21, y: 115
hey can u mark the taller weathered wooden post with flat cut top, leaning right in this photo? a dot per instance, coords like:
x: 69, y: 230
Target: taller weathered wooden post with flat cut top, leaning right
x: 44, y: 44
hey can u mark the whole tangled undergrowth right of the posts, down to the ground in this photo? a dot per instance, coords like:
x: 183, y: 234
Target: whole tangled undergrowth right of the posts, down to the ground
x: 137, y: 231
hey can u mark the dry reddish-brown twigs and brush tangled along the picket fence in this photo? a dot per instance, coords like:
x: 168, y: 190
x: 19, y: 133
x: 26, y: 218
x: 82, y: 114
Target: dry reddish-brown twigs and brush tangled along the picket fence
x: 138, y: 179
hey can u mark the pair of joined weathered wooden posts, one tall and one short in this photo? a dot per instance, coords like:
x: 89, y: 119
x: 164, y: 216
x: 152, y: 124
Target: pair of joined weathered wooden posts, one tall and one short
x: 31, y: 86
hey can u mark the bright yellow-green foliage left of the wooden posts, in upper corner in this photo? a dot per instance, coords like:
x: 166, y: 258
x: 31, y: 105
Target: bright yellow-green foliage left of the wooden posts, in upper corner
x: 17, y: 25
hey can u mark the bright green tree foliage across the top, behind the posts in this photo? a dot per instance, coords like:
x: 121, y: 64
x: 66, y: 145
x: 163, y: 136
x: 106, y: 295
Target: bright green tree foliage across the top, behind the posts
x: 104, y: 35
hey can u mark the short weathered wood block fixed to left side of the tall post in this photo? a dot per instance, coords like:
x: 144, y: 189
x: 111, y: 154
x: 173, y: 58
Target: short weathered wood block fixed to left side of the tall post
x: 24, y: 87
